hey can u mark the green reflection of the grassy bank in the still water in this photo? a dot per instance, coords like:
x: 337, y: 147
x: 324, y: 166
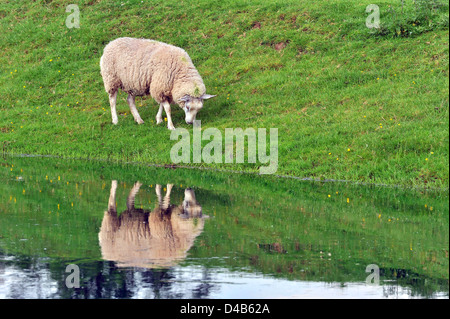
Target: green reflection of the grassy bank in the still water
x: 293, y: 229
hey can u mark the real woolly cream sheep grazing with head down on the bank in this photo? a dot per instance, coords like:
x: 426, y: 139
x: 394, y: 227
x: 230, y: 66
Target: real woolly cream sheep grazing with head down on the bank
x: 147, y: 67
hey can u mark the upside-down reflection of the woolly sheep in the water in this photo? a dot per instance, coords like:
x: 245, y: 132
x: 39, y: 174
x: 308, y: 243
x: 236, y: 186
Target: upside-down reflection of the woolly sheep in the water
x: 151, y: 239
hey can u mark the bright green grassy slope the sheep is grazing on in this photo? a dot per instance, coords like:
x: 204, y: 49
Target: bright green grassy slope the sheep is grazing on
x: 347, y: 105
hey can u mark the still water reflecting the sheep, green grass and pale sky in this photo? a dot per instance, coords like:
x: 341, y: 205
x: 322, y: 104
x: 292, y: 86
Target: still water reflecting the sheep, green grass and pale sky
x: 134, y: 231
